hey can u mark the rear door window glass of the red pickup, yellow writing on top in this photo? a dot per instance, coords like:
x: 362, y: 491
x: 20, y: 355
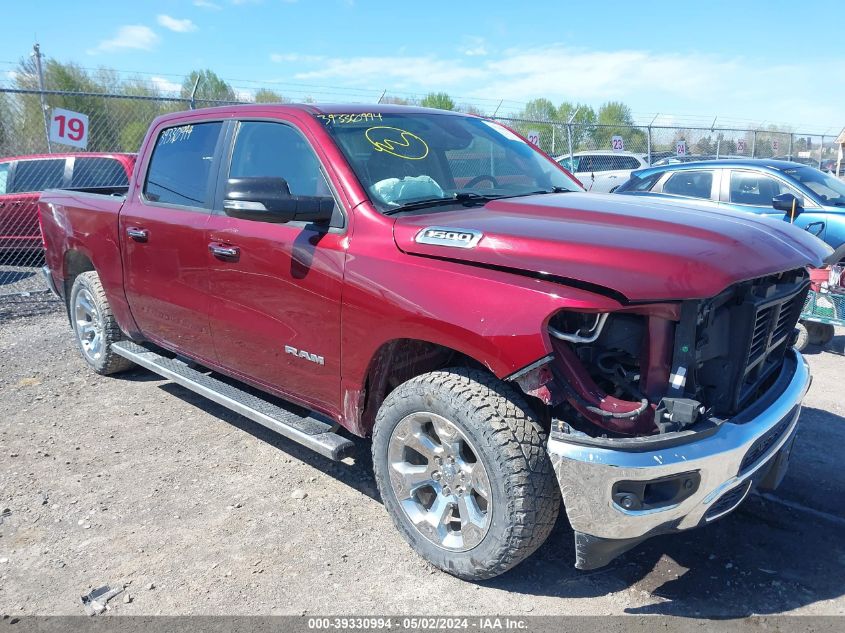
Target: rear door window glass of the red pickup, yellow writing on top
x: 180, y: 167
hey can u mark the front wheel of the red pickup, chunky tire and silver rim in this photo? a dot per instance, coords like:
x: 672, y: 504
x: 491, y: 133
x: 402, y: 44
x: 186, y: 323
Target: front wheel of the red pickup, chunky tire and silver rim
x: 462, y: 469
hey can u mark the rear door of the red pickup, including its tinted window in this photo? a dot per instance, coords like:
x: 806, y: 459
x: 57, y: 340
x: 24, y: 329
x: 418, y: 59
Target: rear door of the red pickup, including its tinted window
x: 162, y: 227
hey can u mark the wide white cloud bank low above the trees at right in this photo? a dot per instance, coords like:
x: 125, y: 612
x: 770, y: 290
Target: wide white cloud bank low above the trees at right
x: 705, y: 84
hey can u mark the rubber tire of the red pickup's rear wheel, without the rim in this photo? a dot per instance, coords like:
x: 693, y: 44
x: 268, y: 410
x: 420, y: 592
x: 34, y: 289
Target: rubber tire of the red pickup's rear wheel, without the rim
x: 106, y: 362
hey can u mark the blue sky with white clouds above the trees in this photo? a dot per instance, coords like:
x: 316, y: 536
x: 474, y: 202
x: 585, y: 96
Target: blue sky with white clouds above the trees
x: 736, y: 61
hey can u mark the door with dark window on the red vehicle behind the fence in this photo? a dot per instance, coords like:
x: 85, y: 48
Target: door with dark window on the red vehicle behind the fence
x: 25, y: 180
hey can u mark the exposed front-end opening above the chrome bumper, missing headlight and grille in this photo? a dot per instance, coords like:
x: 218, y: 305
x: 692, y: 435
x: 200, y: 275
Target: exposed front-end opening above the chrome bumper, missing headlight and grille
x: 661, y: 368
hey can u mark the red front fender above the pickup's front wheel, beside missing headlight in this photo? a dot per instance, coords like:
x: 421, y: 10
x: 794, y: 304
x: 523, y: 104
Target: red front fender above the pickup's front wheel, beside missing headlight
x: 496, y: 318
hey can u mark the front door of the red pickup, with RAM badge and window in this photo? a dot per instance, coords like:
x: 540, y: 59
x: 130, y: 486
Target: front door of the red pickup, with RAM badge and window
x: 276, y: 288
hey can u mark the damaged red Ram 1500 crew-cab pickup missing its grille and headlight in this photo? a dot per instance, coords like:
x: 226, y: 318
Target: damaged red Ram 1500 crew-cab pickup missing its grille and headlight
x: 433, y: 281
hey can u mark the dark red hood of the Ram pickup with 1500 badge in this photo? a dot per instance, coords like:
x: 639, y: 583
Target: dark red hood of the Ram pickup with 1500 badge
x: 644, y: 250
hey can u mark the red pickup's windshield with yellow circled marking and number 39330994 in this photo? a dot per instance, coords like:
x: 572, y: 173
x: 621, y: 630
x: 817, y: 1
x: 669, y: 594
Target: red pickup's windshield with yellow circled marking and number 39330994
x: 405, y: 158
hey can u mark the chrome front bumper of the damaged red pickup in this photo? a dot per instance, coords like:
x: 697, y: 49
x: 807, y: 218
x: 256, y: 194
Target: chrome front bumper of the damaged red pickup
x: 587, y: 474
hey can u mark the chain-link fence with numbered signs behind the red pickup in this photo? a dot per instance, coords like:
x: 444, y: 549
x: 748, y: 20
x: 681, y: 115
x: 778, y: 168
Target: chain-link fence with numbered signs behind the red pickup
x: 56, y: 139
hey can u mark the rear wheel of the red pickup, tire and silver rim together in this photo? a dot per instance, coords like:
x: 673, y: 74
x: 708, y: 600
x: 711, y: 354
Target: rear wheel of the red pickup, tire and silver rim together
x: 94, y: 325
